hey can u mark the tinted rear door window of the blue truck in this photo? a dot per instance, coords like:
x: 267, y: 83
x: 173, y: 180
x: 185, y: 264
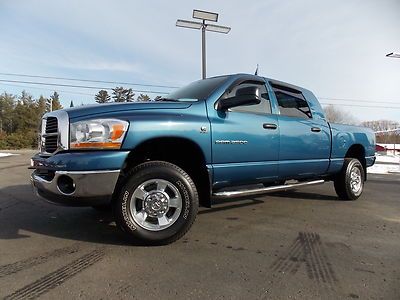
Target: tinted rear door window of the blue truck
x: 292, y: 102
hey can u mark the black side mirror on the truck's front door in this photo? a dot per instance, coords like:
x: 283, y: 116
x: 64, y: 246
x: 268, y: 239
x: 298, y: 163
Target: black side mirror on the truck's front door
x: 244, y: 96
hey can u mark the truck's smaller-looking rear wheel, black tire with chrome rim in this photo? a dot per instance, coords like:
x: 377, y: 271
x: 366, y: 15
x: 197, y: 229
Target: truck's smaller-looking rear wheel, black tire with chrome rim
x: 349, y: 183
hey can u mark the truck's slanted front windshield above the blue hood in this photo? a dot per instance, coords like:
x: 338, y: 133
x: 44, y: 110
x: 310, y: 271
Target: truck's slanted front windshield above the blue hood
x: 198, y: 90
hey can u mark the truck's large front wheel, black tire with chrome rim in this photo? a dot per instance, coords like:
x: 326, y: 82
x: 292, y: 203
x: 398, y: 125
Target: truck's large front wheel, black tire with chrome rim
x: 158, y: 203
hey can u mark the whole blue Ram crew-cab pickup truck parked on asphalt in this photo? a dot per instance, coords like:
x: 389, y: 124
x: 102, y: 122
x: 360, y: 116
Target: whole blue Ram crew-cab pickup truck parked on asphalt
x: 229, y: 136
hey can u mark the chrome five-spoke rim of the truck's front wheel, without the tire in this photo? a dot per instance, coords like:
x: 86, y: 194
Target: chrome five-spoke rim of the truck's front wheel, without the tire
x: 155, y: 204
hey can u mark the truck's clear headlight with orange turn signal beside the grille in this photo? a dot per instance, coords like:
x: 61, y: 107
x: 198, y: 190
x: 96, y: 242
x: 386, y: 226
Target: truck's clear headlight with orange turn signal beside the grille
x: 97, y: 134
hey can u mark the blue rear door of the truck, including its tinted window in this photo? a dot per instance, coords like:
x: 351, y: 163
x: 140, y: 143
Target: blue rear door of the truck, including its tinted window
x: 304, y: 141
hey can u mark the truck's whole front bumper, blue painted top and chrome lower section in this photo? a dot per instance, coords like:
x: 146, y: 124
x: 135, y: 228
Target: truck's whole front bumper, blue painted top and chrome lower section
x: 92, y: 176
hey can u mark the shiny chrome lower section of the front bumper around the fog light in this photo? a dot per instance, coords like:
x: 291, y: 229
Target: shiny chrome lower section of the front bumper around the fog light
x: 89, y: 187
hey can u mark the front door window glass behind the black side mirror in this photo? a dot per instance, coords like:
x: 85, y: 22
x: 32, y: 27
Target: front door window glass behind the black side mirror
x: 264, y: 107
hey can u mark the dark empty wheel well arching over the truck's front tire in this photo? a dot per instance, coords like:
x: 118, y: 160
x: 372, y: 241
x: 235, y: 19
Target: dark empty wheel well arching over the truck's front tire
x: 182, y: 152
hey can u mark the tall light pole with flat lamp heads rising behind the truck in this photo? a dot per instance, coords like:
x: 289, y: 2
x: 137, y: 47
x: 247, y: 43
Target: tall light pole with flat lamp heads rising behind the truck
x: 204, y: 16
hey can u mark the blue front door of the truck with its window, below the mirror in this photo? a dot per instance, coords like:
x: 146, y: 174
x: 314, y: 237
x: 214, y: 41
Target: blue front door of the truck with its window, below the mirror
x: 245, y: 142
